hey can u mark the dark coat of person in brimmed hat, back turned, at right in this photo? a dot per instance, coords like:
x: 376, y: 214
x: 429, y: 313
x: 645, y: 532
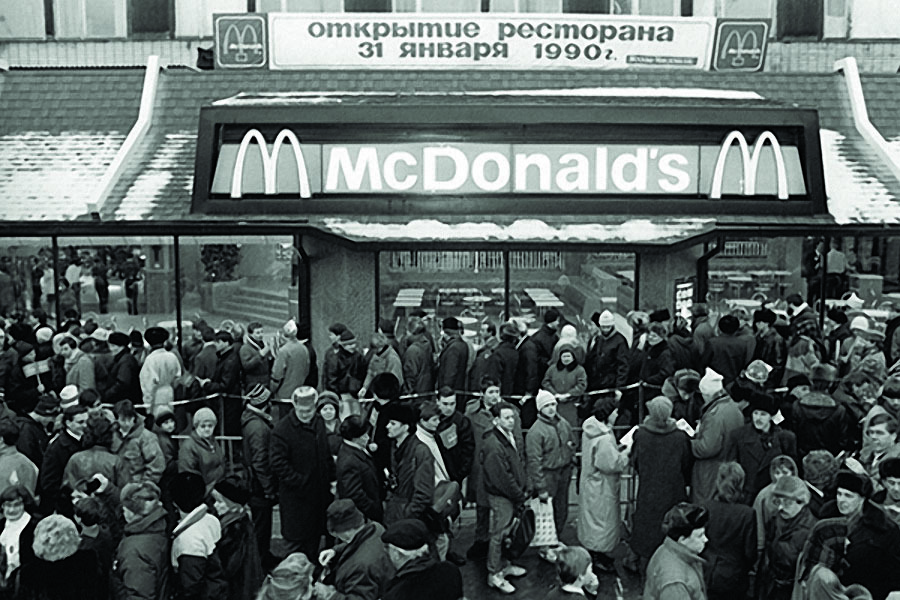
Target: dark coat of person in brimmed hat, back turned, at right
x: 820, y: 422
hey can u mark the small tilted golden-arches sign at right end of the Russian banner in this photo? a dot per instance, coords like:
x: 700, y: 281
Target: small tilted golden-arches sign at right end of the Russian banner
x: 740, y: 45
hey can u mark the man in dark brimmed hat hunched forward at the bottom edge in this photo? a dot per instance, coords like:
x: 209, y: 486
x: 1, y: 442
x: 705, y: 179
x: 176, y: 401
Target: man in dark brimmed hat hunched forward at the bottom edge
x: 359, y: 566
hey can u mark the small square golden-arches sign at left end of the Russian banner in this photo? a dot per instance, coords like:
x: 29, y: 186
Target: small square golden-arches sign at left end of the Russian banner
x: 240, y: 41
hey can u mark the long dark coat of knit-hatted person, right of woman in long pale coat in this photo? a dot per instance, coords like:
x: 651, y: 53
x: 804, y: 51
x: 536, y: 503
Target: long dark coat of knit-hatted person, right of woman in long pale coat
x: 661, y: 456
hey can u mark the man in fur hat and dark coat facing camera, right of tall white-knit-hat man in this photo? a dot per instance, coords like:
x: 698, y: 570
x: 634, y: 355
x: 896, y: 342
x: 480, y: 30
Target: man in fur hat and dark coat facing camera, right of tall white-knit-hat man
x: 755, y: 444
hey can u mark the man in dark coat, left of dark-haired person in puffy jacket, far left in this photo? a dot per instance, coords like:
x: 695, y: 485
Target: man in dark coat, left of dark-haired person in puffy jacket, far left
x: 57, y: 456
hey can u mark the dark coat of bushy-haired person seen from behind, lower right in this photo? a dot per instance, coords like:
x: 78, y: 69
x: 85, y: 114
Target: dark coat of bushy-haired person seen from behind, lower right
x: 730, y: 552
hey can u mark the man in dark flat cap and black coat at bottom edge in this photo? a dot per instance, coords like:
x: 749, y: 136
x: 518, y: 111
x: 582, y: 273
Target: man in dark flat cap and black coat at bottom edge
x: 418, y: 574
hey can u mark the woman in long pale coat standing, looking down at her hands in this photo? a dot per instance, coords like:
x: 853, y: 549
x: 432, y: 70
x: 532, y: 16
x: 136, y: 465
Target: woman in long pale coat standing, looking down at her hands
x: 602, y: 463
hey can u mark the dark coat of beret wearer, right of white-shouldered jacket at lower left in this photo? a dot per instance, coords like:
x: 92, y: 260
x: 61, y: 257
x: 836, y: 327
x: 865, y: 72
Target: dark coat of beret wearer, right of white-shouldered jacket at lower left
x: 241, y: 563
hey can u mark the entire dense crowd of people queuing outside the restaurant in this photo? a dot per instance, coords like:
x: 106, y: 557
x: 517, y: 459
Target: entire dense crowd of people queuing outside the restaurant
x: 764, y: 449
